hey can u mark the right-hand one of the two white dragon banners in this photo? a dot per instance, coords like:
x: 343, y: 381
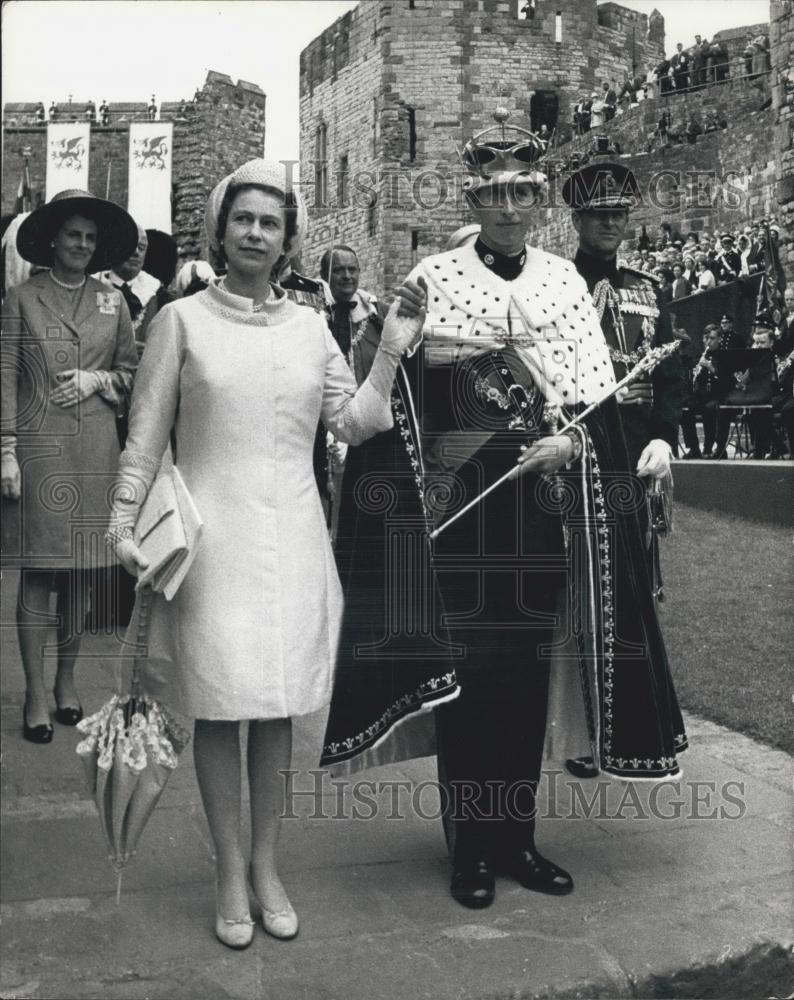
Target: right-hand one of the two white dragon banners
x: 149, y: 198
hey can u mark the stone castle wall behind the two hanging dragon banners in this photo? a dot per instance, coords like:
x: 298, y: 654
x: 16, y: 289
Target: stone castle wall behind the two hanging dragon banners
x: 223, y: 127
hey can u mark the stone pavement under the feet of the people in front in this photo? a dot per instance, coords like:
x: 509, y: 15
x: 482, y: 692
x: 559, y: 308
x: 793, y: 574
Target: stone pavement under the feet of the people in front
x: 709, y: 884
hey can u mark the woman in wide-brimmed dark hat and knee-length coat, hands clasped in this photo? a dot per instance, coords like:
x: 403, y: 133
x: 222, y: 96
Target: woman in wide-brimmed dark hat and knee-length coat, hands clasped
x: 68, y: 364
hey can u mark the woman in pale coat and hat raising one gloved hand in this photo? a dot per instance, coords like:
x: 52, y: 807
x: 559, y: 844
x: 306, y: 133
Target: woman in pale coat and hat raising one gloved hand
x: 242, y: 375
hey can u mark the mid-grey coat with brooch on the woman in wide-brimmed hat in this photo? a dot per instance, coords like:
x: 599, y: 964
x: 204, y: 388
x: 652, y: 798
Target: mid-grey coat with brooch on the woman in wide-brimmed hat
x: 68, y: 456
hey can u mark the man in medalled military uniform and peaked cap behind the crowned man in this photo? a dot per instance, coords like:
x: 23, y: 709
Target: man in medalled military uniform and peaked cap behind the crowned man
x: 634, y: 319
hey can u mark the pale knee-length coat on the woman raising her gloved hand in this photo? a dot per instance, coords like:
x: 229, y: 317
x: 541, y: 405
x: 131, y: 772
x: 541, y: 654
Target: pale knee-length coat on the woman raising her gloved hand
x: 252, y: 632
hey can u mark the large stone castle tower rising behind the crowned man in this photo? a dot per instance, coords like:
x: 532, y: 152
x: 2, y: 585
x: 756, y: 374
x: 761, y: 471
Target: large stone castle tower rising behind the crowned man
x: 390, y: 90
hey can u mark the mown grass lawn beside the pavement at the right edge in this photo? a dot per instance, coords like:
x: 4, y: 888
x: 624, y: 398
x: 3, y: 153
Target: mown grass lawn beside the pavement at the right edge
x: 727, y: 621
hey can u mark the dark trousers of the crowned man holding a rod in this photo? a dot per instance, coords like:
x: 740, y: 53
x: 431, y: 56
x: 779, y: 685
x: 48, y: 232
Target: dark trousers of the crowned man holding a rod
x: 500, y: 602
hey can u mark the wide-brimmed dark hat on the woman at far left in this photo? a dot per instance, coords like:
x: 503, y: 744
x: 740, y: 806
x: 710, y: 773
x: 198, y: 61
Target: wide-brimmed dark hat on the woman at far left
x: 117, y: 233
